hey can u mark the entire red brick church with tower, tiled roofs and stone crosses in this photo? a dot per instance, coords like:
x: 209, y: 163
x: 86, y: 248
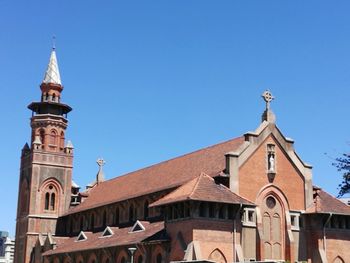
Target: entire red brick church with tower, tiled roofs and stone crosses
x: 247, y: 199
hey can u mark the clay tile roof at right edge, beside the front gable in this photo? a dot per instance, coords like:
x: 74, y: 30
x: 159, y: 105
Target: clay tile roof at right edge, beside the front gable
x: 325, y: 203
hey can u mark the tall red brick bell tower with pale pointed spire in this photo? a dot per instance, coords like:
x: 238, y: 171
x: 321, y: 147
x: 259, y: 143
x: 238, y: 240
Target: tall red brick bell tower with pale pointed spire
x: 46, y: 167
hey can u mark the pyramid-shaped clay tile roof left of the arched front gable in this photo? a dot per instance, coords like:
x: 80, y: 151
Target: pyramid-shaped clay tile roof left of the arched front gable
x: 202, y: 188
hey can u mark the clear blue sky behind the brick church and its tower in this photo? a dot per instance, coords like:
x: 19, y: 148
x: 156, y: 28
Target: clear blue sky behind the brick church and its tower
x: 151, y: 80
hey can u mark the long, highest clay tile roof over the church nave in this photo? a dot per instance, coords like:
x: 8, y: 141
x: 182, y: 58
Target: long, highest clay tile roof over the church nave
x: 165, y: 175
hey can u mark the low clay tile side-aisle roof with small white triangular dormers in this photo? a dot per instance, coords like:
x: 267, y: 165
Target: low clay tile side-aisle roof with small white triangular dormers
x: 120, y: 237
